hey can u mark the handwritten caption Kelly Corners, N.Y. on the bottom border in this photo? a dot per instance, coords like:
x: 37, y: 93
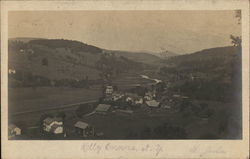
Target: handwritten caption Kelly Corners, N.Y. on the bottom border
x: 154, y: 149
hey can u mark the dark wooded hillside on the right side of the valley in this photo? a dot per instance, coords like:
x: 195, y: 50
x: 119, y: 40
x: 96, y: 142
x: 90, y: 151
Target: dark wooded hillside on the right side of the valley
x: 211, y: 74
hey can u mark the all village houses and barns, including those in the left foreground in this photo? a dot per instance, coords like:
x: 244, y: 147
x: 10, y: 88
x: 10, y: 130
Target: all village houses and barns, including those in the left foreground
x: 126, y: 103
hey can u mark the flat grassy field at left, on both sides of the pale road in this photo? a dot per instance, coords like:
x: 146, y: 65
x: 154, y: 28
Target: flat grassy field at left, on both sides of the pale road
x: 28, y: 99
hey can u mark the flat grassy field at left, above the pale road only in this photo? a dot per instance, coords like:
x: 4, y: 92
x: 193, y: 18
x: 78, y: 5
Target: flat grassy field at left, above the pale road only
x: 24, y: 99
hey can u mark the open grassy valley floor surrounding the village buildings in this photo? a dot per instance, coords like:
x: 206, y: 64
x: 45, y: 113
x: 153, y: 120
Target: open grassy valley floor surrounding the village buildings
x: 112, y: 125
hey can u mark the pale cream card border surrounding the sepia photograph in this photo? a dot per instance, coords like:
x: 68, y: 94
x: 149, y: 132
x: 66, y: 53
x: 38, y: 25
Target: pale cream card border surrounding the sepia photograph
x: 125, y: 148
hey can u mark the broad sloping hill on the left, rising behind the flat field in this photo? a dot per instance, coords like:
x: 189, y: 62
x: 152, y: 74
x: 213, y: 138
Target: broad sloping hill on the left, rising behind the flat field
x: 62, y: 60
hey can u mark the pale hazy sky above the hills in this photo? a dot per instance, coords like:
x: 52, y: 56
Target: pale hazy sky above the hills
x: 148, y: 31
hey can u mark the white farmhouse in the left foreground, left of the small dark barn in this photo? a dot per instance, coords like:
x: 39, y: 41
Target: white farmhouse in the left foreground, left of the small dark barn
x: 53, y: 125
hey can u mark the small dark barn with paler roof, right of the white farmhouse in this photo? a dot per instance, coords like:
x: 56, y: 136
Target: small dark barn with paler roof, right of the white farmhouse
x: 84, y: 129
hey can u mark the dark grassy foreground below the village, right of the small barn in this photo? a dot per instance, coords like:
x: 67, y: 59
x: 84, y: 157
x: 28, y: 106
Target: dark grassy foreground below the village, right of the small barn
x: 119, y: 126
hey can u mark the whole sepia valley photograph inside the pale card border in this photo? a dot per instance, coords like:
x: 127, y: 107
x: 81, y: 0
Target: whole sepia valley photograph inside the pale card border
x: 124, y: 75
